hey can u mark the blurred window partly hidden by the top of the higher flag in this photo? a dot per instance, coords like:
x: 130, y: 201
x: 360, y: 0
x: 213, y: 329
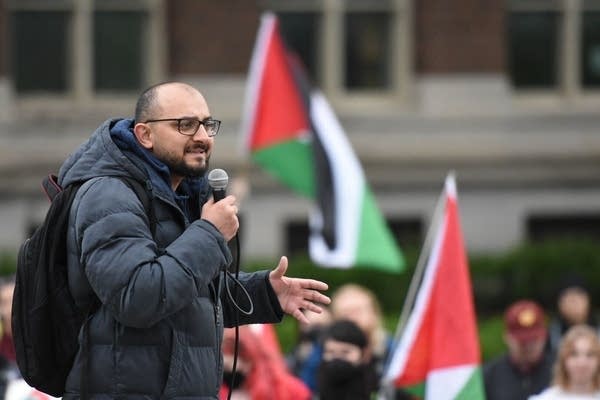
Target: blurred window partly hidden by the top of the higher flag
x: 350, y: 48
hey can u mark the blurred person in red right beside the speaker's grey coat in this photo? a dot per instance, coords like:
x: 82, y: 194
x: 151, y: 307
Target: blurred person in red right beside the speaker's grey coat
x: 261, y: 372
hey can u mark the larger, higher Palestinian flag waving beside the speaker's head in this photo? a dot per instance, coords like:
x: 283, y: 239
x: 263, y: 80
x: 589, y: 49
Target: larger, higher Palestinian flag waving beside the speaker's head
x: 291, y: 131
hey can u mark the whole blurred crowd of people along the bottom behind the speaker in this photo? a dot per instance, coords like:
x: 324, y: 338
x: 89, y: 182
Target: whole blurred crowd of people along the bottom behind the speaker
x: 341, y: 352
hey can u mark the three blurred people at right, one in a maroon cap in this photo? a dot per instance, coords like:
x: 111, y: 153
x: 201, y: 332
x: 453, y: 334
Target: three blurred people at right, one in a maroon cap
x: 555, y: 358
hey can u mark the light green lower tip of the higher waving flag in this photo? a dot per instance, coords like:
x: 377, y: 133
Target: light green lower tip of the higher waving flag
x: 376, y: 245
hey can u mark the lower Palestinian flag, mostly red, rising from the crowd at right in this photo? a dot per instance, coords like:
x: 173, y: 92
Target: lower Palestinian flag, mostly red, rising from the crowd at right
x: 437, y: 356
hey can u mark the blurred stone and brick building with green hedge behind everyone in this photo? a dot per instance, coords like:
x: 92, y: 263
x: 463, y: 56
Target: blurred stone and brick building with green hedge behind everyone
x: 505, y: 93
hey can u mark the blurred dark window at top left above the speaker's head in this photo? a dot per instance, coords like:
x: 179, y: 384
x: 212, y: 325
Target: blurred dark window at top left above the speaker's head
x: 81, y: 48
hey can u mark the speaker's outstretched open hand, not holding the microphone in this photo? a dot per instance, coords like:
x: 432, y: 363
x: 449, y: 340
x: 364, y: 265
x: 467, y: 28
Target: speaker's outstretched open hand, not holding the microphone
x: 296, y: 294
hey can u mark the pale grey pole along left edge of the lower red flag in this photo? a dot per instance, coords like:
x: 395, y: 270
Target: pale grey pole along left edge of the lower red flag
x: 420, y: 268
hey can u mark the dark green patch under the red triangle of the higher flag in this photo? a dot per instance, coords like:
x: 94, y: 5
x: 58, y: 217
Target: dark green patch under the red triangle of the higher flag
x: 292, y: 163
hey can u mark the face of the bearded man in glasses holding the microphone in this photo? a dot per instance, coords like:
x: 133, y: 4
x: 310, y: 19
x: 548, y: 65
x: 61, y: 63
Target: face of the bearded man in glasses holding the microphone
x: 184, y: 155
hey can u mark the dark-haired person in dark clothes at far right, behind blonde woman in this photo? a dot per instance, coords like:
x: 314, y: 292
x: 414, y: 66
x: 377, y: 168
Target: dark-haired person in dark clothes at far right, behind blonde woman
x: 574, y: 307
